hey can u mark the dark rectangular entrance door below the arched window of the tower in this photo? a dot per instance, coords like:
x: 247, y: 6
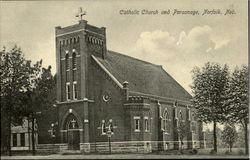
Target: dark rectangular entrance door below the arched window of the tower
x: 73, y: 140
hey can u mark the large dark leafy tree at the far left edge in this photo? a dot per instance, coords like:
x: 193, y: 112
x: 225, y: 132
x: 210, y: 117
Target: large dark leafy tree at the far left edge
x: 16, y: 74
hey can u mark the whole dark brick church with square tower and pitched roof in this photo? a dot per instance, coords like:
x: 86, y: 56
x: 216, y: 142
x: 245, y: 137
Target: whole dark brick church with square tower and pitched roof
x: 102, y: 93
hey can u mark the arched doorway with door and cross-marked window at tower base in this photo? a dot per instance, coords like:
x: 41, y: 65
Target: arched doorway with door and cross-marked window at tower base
x: 73, y: 132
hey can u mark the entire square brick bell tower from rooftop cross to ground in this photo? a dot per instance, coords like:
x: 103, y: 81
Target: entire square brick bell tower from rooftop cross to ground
x: 75, y: 45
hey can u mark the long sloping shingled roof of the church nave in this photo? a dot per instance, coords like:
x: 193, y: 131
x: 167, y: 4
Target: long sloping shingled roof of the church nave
x: 143, y: 76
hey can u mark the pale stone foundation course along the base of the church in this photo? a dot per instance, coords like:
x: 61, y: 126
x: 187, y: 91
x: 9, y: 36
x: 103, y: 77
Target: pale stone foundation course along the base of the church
x: 119, y: 147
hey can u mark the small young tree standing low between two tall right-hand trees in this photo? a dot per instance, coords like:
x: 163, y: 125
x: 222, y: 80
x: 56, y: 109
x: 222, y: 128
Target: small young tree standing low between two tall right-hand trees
x: 229, y: 136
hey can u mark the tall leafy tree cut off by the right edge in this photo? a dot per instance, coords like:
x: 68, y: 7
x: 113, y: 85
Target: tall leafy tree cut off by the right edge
x: 238, y: 100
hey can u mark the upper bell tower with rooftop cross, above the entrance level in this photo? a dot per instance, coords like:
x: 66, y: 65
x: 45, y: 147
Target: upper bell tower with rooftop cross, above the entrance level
x: 74, y: 46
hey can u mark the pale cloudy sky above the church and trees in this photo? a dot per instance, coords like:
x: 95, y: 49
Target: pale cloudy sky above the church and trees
x: 177, y: 42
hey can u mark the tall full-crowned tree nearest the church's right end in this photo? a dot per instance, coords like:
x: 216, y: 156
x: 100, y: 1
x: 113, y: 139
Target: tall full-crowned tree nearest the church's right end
x: 210, y: 84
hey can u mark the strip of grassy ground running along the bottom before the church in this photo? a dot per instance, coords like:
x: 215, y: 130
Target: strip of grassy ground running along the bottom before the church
x: 202, y: 154
